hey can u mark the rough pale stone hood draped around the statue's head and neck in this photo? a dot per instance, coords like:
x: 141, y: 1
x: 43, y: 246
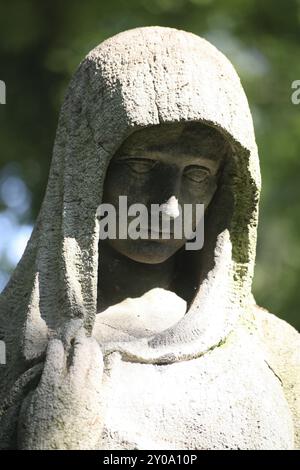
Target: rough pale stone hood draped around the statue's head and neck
x: 138, y: 78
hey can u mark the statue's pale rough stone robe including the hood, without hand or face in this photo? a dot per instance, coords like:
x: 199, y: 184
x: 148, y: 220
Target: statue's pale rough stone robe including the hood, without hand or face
x: 226, y: 374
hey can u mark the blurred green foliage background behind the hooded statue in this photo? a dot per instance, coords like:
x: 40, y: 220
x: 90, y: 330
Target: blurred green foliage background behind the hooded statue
x: 41, y: 44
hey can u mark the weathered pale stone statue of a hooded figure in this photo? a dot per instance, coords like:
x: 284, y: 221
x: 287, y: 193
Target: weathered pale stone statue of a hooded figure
x: 225, y: 374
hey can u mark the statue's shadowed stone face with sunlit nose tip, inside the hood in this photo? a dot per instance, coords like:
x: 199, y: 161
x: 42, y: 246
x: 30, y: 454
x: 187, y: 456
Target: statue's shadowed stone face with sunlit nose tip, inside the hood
x: 166, y: 165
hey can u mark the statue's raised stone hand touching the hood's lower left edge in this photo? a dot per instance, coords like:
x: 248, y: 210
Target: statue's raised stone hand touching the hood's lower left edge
x: 64, y: 411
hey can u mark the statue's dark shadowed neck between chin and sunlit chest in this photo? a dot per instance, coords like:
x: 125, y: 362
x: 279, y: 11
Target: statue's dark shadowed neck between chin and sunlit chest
x: 120, y: 277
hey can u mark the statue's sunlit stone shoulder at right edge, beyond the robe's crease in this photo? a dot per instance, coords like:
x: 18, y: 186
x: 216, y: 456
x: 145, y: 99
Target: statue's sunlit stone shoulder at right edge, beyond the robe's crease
x: 282, y: 344
